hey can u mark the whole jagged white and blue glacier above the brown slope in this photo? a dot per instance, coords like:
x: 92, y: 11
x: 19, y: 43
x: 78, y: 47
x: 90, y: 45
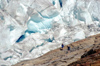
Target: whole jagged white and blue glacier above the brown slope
x: 31, y: 28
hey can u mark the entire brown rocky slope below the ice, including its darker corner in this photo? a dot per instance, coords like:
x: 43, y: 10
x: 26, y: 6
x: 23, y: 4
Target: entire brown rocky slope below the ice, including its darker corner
x: 79, y: 51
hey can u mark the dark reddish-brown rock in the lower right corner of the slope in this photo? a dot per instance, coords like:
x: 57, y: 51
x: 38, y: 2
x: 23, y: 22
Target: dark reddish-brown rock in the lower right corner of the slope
x: 91, y: 58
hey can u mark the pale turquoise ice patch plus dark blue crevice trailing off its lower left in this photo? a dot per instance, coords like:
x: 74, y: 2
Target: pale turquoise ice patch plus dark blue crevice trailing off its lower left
x: 34, y: 27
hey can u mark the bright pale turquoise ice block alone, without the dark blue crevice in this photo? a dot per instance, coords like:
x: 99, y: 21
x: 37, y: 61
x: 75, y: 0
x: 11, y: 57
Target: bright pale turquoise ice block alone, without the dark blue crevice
x: 38, y: 27
